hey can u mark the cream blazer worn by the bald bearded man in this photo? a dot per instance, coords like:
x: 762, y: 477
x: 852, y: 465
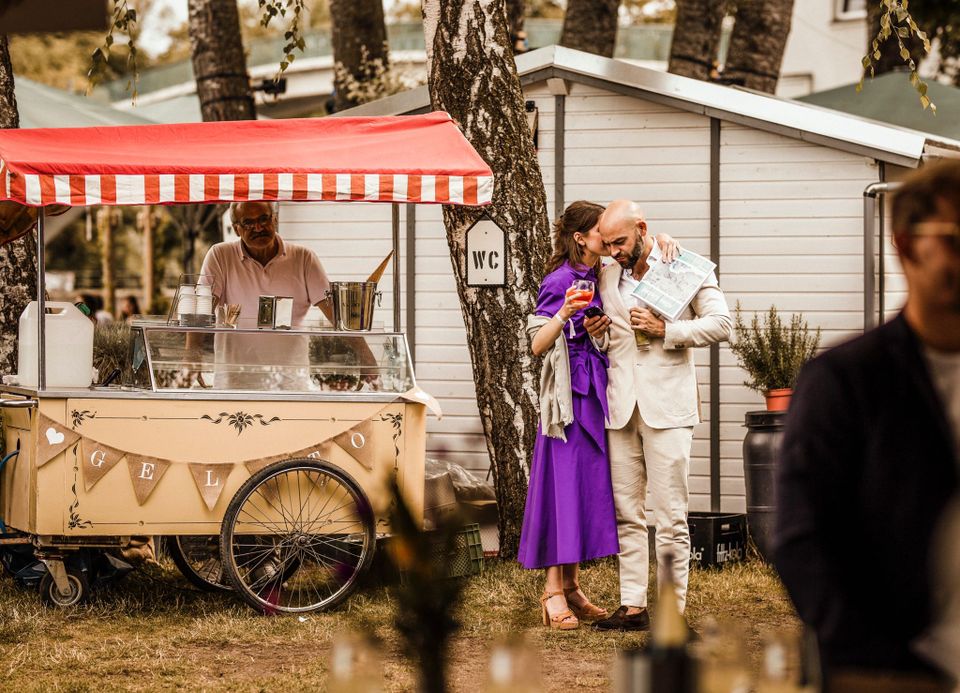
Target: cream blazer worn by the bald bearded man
x: 661, y: 380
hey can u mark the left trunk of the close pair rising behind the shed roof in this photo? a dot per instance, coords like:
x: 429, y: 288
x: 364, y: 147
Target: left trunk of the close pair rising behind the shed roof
x: 696, y: 38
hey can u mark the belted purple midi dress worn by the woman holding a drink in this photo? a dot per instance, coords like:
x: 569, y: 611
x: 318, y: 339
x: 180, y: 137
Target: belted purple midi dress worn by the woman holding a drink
x: 569, y: 515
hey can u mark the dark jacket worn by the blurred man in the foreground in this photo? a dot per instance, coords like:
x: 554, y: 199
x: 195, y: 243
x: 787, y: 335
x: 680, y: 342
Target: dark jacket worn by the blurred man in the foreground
x: 866, y: 470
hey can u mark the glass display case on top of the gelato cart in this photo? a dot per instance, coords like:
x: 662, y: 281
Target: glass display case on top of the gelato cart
x: 169, y: 358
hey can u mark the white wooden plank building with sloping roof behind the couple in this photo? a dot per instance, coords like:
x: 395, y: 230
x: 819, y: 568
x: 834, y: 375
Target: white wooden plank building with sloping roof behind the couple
x: 772, y: 190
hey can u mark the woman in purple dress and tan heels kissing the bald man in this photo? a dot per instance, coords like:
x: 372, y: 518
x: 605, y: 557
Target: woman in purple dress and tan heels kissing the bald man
x: 569, y: 516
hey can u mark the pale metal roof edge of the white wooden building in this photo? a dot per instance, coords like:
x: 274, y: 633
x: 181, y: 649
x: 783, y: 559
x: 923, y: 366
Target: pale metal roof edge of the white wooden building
x: 783, y: 116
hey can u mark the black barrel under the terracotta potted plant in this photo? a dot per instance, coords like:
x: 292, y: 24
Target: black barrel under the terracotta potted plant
x: 761, y: 452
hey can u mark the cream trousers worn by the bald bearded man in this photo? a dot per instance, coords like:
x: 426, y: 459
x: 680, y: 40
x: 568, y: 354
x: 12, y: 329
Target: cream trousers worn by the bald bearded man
x: 642, y: 459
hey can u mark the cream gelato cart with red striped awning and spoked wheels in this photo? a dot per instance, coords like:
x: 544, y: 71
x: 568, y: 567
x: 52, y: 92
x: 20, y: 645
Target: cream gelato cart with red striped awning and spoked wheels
x: 279, y: 472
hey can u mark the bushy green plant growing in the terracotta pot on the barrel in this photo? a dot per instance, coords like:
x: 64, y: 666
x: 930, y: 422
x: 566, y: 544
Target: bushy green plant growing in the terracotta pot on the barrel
x: 771, y: 352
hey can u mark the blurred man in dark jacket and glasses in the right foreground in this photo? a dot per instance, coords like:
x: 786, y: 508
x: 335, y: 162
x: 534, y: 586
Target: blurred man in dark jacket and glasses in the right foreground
x: 870, y: 462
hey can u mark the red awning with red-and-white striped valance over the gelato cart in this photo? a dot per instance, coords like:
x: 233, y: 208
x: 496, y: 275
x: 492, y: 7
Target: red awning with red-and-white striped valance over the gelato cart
x: 423, y: 159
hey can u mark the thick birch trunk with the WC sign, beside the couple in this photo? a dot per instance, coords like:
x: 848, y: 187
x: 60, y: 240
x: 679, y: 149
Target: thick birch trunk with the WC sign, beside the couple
x: 472, y: 77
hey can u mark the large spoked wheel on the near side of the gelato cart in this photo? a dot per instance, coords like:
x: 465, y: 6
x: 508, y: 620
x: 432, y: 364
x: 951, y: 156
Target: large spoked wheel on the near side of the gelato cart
x: 297, y: 537
